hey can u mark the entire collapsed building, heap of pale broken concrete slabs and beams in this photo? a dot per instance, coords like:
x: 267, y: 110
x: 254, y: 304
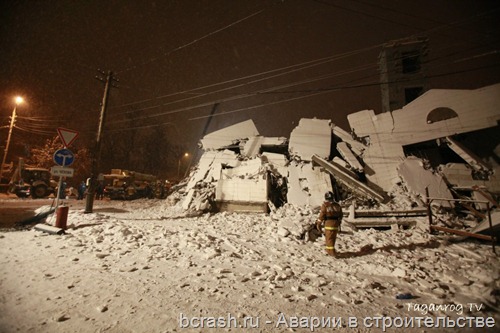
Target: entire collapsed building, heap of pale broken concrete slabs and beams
x: 444, y: 145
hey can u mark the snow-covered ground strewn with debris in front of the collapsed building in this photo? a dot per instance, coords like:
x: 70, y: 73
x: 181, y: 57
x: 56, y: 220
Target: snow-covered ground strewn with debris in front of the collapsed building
x: 147, y: 267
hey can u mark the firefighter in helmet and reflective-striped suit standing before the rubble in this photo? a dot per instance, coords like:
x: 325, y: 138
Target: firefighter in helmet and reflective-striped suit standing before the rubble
x: 331, y: 216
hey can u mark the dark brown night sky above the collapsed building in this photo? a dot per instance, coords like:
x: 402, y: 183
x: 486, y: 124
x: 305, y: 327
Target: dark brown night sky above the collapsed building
x: 272, y: 61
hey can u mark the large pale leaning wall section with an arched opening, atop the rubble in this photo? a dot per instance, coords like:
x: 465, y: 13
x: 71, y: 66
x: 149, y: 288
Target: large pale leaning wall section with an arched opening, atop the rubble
x: 387, y: 133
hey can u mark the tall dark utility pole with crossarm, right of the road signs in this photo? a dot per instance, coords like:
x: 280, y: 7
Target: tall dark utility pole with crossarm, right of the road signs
x: 96, y: 158
